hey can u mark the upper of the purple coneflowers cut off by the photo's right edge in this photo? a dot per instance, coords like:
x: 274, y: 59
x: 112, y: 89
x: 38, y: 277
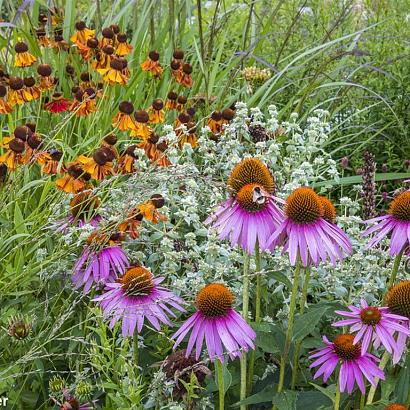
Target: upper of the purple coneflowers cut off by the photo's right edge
x: 396, y: 222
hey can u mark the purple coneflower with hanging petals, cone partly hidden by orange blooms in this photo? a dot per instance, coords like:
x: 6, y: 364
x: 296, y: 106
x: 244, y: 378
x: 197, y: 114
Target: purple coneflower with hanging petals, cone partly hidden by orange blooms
x: 99, y: 266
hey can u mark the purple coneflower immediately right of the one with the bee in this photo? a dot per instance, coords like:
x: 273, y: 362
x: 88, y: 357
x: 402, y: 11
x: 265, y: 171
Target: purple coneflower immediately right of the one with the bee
x: 307, y: 233
